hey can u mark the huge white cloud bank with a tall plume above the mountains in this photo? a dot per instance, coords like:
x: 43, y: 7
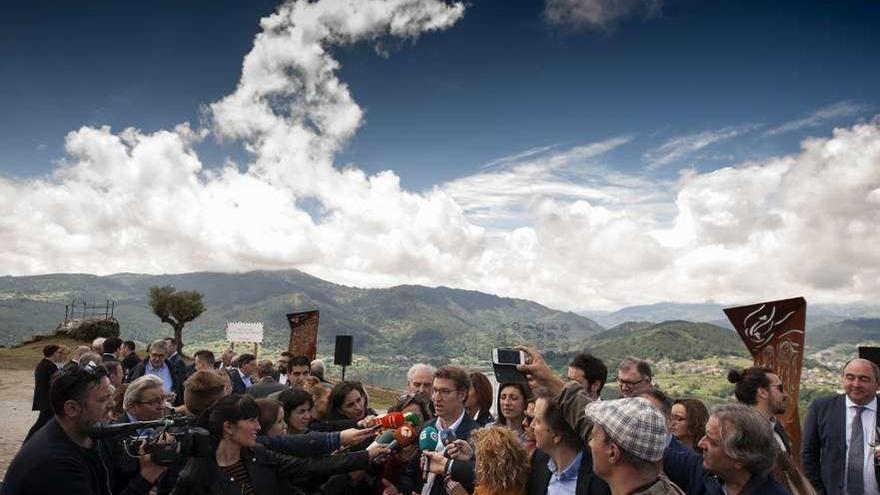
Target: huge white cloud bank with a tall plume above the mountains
x: 557, y: 226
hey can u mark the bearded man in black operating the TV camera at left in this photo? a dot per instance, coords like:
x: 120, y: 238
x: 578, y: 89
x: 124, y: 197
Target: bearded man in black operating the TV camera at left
x: 61, y: 458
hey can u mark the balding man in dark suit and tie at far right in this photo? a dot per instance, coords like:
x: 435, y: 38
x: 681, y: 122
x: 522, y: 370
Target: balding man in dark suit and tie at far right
x: 838, y: 432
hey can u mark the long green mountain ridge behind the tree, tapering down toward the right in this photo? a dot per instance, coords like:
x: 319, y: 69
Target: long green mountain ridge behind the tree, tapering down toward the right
x: 414, y: 321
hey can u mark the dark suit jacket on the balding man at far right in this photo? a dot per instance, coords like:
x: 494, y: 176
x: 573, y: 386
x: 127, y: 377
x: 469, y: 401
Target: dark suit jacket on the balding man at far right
x: 824, y: 444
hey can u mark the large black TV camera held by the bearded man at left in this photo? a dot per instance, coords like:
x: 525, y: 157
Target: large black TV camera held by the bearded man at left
x: 168, y: 441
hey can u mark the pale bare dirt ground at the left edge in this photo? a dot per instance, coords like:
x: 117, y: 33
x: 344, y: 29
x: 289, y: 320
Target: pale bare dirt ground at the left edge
x: 16, y: 394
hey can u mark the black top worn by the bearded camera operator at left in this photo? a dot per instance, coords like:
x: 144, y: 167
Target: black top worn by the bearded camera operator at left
x: 50, y: 463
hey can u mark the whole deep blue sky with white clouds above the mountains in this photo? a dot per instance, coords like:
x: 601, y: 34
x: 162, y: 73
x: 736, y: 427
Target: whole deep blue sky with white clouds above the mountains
x: 585, y: 154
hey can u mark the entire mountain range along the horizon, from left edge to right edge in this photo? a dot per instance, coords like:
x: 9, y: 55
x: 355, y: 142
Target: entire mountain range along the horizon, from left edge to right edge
x: 414, y: 321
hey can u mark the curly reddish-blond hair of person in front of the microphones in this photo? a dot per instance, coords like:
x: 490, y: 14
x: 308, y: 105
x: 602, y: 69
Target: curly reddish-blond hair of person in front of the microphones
x: 502, y: 461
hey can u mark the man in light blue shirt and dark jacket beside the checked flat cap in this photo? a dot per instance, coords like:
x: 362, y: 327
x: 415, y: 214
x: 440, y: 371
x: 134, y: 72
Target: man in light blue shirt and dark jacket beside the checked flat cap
x: 560, y: 464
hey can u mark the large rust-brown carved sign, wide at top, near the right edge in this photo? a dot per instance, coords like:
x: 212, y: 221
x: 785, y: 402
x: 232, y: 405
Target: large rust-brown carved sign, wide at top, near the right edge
x: 774, y: 334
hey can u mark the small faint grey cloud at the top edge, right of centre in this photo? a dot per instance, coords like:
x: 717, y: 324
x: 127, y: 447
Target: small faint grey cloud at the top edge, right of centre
x: 598, y: 15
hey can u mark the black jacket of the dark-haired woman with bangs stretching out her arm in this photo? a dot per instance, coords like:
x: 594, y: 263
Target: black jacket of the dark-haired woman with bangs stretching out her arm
x: 270, y: 473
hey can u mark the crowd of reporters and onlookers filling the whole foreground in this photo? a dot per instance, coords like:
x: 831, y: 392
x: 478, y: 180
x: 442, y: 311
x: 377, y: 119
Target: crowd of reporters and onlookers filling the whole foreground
x: 282, y: 428
